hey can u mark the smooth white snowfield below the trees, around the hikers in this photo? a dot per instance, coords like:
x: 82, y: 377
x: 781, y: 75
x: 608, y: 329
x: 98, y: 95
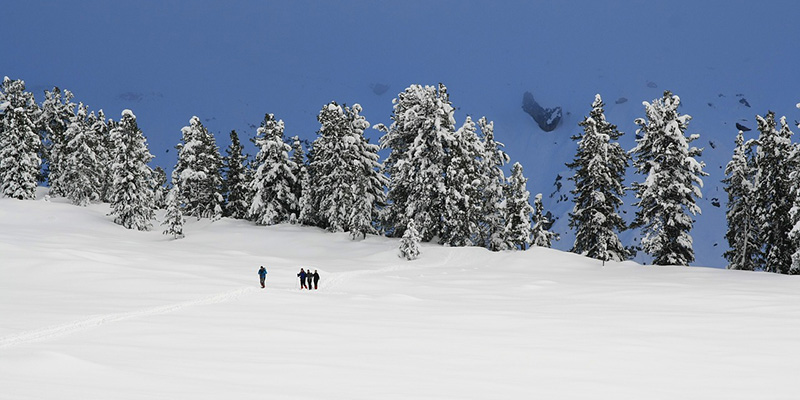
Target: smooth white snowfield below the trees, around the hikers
x: 89, y: 310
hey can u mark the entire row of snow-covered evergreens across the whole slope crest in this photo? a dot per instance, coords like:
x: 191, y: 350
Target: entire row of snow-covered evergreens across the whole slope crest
x: 439, y: 183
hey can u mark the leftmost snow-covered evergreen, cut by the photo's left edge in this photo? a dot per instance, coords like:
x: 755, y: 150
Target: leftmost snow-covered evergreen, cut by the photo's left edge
x: 20, y: 144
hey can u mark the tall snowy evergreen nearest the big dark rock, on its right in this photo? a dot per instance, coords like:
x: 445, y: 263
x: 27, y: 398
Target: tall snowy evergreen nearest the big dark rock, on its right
x: 599, y: 170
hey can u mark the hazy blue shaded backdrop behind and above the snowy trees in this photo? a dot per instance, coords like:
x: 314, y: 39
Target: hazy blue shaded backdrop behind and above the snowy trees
x: 231, y: 62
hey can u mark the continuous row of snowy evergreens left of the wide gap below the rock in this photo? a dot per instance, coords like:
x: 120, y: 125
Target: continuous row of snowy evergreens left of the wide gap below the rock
x: 439, y: 183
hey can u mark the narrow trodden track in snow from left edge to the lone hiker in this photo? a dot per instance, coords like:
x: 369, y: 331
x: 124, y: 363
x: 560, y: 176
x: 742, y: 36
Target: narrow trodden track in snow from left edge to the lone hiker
x: 99, y: 320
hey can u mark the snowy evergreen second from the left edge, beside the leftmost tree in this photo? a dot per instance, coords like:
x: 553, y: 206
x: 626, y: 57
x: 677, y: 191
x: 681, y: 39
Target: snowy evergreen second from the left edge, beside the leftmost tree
x: 58, y: 113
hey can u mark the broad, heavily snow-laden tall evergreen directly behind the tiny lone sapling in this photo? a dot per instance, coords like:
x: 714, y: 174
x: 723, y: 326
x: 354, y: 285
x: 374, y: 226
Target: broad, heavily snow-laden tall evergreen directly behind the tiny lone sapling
x: 422, y: 127
